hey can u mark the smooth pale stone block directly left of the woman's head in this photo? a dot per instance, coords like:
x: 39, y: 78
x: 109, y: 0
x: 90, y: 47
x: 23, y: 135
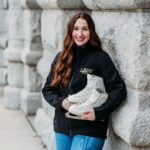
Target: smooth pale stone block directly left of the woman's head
x: 52, y: 37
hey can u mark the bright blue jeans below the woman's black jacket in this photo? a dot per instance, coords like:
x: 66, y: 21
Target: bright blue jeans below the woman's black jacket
x: 78, y: 142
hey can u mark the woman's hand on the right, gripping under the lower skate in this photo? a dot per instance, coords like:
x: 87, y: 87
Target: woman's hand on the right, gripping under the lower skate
x: 88, y: 115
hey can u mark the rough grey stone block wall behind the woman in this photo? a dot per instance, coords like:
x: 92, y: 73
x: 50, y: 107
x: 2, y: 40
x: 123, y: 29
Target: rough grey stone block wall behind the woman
x: 34, y: 31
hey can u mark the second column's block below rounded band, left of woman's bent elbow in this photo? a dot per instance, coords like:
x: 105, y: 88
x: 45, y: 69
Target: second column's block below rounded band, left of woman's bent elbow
x: 32, y: 80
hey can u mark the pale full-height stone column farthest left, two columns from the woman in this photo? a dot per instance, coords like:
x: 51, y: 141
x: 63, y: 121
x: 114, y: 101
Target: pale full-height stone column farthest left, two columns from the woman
x: 13, y: 56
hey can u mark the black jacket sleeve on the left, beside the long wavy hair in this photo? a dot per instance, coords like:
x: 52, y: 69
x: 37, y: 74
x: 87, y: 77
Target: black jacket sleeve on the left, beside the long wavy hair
x: 50, y: 93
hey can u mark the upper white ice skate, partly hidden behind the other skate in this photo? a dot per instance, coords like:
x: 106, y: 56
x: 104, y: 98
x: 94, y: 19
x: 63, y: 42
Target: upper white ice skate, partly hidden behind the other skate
x: 93, y: 82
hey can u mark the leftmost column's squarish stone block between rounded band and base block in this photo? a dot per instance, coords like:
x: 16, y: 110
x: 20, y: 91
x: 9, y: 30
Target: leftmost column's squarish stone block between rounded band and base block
x: 15, y: 74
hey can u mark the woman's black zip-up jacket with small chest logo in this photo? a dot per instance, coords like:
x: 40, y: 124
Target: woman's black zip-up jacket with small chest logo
x: 101, y: 65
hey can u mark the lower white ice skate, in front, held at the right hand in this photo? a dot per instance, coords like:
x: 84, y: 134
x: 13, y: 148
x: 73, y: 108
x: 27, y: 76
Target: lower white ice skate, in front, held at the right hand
x: 96, y: 99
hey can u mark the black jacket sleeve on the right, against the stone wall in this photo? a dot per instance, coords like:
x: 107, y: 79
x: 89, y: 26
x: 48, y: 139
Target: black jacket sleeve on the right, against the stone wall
x: 115, y: 88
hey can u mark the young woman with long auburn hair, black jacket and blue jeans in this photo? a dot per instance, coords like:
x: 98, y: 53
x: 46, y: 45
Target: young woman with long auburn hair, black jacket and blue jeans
x: 81, y: 50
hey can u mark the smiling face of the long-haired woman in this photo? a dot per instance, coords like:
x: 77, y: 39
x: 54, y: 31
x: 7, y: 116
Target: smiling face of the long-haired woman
x: 81, y: 32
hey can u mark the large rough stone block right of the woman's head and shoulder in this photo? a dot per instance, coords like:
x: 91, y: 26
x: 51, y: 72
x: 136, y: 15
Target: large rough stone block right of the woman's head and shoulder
x: 125, y: 36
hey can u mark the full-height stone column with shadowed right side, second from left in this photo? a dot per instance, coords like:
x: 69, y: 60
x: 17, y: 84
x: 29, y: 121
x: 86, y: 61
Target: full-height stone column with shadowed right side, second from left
x: 32, y: 52
